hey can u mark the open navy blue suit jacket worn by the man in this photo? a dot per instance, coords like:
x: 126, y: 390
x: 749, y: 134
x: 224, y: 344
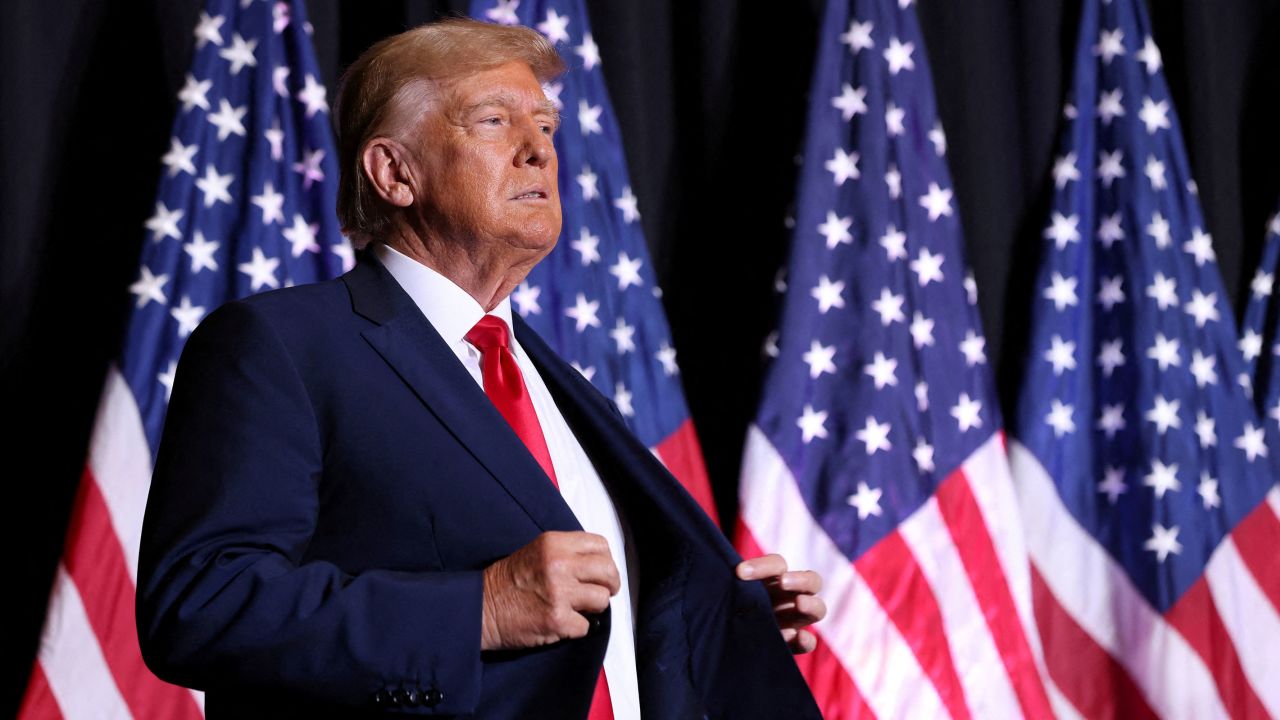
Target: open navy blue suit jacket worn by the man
x: 331, y: 485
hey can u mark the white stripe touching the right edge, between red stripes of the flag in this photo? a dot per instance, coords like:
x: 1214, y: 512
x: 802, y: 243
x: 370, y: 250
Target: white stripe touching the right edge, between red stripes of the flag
x: 1246, y: 613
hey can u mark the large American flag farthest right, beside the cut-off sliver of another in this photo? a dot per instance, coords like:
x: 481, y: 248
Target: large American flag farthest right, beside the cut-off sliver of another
x: 1142, y: 467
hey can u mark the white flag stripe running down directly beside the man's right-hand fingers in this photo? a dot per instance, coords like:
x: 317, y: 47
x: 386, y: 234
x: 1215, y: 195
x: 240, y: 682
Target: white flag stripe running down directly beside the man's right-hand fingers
x: 868, y: 645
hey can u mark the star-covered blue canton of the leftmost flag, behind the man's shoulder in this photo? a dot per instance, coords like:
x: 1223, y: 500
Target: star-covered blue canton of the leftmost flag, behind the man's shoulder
x: 248, y: 198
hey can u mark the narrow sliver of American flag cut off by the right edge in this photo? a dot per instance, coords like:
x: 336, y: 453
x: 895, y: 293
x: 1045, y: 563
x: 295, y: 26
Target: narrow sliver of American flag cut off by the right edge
x: 1260, y: 335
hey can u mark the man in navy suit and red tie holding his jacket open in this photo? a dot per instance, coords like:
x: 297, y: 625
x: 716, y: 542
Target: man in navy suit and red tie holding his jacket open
x: 372, y: 496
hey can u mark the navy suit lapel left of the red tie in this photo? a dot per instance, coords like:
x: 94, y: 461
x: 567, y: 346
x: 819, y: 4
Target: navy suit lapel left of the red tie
x: 408, y: 341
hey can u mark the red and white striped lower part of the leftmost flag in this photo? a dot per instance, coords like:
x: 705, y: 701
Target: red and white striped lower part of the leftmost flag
x: 89, y: 663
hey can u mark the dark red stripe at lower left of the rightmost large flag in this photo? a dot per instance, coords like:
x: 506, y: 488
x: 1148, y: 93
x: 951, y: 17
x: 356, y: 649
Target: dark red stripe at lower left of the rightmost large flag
x: 1086, y: 675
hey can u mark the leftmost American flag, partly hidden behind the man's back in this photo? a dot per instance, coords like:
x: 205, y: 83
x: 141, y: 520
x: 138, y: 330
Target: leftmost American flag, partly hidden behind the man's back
x: 246, y: 203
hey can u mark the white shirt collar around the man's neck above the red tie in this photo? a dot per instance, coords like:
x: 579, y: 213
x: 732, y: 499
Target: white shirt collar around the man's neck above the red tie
x: 447, y: 307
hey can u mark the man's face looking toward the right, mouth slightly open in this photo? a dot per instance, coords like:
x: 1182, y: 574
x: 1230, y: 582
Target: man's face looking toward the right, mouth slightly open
x: 486, y: 162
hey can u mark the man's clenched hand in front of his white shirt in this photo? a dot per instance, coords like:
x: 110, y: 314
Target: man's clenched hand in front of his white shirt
x: 541, y: 594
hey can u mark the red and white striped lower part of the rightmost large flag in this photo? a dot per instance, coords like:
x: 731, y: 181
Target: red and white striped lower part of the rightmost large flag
x: 1214, y: 654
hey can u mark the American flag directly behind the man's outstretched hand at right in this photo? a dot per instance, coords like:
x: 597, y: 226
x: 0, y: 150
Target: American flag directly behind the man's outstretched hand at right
x: 877, y: 455
